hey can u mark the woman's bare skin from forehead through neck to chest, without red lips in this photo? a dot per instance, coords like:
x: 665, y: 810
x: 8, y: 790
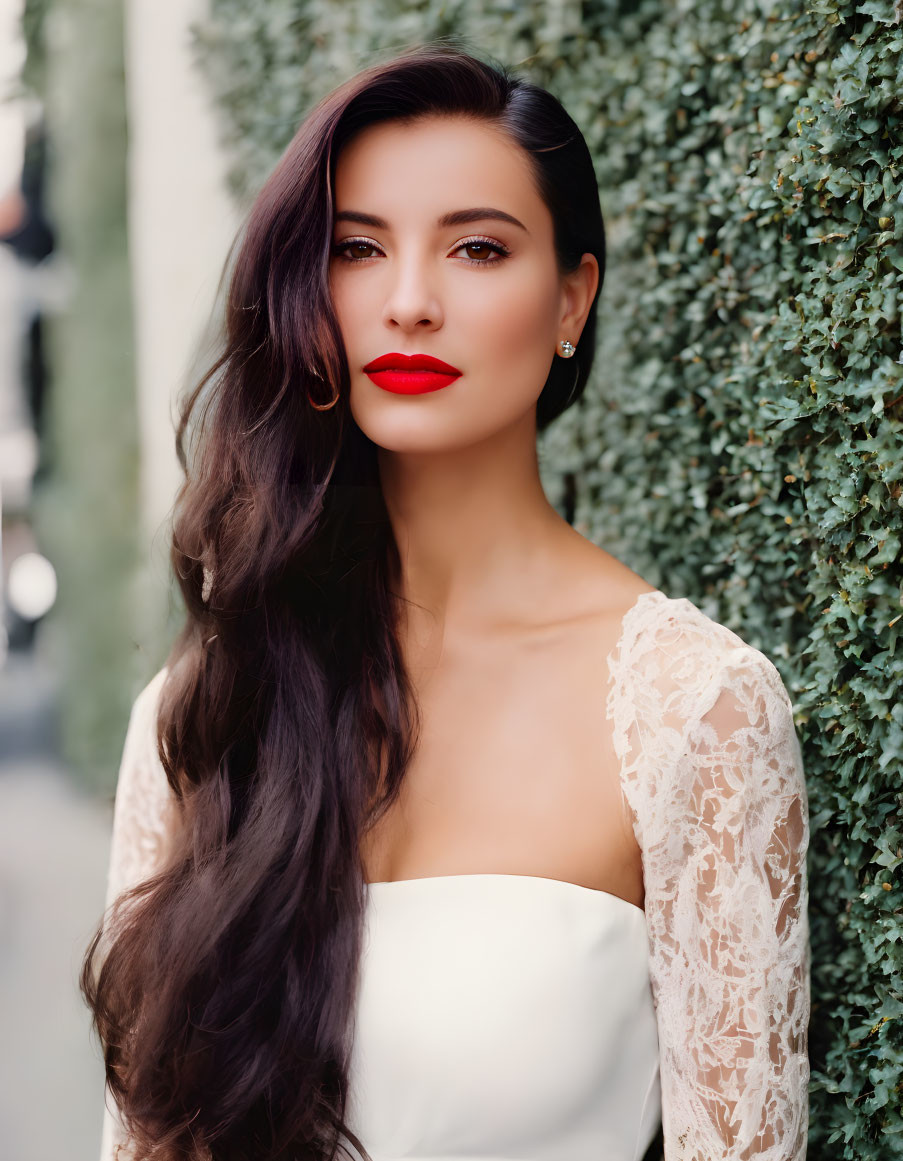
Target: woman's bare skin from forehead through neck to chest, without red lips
x: 512, y: 611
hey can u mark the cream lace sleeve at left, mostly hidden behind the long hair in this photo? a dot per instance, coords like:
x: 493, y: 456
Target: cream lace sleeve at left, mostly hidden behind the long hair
x: 142, y: 819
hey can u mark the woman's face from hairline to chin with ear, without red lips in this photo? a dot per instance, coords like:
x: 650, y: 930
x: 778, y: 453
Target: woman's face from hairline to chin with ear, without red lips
x: 485, y: 297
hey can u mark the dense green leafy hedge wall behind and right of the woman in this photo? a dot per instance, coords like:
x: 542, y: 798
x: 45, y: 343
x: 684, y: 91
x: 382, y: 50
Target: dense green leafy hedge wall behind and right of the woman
x: 741, y: 441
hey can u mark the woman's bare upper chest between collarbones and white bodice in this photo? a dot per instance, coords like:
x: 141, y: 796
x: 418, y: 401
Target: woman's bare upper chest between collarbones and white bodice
x: 515, y: 771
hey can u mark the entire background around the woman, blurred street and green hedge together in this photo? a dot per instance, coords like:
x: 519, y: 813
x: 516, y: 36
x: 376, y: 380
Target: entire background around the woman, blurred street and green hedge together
x: 741, y: 442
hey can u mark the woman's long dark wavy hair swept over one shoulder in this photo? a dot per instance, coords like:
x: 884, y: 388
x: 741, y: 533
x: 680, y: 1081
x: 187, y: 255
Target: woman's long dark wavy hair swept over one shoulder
x: 223, y: 993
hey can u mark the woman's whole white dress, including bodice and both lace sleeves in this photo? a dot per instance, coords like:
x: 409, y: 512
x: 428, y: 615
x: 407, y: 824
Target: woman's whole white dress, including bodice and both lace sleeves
x: 508, y: 1018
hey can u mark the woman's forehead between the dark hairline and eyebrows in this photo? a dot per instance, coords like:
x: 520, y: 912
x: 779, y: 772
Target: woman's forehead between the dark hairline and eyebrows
x: 432, y: 165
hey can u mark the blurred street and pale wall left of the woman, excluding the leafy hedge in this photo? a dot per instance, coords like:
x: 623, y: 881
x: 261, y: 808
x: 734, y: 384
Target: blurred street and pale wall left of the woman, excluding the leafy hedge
x: 114, y: 227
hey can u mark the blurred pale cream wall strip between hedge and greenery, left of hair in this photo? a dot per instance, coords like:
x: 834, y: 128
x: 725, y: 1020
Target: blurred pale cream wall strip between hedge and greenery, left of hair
x: 182, y: 225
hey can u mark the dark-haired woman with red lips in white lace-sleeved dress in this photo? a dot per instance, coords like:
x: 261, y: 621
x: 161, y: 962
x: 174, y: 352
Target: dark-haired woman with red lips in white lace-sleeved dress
x: 460, y: 840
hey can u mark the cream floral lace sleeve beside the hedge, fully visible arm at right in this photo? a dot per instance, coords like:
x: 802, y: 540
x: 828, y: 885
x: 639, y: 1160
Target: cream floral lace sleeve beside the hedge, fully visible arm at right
x: 714, y: 790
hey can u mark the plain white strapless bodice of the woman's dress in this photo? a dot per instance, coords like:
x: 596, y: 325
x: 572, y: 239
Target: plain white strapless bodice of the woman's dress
x: 504, y: 1018
